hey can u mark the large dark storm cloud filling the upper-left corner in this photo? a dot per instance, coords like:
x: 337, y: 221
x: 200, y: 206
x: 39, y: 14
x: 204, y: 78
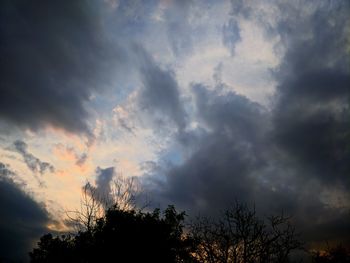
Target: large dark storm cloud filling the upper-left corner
x: 53, y: 56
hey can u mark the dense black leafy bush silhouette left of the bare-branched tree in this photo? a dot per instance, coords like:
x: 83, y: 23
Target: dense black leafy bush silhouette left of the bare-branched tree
x: 121, y: 236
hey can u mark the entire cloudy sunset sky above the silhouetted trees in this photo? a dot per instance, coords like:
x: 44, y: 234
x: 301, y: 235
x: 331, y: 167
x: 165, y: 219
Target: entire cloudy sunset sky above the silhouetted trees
x: 205, y: 102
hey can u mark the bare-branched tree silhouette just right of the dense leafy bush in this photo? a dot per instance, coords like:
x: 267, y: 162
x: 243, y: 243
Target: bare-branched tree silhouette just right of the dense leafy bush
x: 240, y: 236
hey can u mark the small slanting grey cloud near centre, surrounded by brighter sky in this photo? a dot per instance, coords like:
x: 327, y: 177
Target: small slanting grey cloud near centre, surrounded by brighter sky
x: 160, y: 94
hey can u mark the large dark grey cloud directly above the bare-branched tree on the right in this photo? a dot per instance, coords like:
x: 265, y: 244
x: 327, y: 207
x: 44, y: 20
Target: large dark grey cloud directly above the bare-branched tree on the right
x: 236, y: 158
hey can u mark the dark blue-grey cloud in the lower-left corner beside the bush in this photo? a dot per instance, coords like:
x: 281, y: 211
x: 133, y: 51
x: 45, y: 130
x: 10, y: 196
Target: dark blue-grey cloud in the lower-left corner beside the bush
x: 22, y: 220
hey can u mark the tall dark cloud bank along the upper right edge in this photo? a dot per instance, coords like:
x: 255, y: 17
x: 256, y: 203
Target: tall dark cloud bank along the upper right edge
x: 312, y: 113
